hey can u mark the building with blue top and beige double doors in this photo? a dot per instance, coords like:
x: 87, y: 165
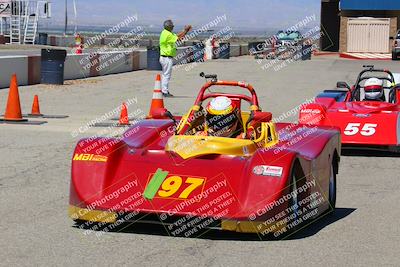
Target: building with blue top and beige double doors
x: 361, y: 26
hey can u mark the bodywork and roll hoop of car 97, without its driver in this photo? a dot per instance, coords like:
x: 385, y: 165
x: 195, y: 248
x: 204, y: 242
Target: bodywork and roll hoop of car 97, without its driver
x: 136, y: 174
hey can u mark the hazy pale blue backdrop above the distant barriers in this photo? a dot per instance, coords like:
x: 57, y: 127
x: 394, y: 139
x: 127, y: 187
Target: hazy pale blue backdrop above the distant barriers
x: 257, y: 14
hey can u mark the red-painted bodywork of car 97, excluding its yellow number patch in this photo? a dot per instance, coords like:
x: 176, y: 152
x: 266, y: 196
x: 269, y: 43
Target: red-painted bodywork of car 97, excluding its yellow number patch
x: 132, y: 160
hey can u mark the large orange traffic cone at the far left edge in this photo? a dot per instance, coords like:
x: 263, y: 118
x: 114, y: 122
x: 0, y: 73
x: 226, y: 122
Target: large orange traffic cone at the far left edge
x: 13, y: 110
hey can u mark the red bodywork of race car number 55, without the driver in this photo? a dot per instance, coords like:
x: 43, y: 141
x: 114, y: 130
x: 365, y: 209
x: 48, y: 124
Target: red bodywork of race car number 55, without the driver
x: 369, y: 123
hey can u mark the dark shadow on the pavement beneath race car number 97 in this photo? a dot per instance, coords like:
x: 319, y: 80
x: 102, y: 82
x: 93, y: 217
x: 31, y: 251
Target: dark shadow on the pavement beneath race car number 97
x: 150, y: 229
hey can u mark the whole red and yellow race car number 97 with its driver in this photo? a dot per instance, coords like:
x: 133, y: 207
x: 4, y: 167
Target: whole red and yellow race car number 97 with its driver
x: 200, y: 173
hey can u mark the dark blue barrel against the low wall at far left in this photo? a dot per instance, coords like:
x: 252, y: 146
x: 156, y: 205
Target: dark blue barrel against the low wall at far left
x: 52, y: 66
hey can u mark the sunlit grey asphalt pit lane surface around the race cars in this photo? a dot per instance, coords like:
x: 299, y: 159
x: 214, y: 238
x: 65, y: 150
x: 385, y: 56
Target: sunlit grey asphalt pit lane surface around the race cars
x: 35, y: 166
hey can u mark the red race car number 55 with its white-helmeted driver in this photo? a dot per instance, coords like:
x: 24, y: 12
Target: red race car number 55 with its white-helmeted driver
x: 368, y: 113
